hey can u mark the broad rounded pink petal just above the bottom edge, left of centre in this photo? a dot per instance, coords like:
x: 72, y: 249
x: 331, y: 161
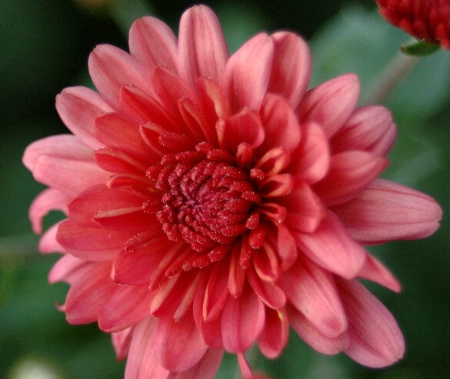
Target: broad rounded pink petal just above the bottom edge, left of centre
x: 179, y: 344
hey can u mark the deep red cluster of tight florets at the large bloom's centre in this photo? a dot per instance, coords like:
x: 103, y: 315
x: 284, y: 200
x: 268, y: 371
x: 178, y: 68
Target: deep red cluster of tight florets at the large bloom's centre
x: 205, y: 202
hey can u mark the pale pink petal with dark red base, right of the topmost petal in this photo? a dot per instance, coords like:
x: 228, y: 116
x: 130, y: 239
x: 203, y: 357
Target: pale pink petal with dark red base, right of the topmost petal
x: 247, y: 73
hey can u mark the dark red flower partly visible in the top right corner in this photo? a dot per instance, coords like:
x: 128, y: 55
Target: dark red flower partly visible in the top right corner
x: 427, y: 20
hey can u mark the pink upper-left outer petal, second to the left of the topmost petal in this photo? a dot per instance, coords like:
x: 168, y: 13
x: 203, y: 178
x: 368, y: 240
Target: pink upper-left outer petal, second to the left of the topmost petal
x: 111, y: 68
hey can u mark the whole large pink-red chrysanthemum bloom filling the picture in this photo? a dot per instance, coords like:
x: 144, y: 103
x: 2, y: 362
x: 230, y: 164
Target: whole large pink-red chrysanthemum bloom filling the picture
x: 213, y: 202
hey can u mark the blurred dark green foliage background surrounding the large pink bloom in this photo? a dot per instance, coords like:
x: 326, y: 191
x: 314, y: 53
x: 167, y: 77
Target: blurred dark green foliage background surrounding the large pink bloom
x: 44, y: 45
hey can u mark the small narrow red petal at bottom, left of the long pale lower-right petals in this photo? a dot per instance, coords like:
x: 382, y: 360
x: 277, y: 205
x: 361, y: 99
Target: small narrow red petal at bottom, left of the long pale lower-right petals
x: 275, y: 334
